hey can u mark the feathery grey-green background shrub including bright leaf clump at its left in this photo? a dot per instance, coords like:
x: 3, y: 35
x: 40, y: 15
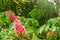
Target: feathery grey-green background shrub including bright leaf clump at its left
x: 43, y: 11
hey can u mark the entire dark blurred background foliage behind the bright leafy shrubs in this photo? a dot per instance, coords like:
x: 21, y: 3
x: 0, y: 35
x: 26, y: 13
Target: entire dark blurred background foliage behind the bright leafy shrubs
x: 30, y: 8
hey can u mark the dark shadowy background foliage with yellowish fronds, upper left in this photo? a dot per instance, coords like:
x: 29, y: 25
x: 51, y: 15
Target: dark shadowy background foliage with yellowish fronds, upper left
x: 20, y: 7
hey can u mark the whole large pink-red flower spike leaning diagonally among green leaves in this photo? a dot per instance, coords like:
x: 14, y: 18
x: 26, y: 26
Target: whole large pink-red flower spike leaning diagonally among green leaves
x: 19, y: 28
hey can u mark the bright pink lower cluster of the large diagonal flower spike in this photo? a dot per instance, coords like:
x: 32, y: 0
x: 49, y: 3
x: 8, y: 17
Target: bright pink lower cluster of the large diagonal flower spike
x: 19, y: 28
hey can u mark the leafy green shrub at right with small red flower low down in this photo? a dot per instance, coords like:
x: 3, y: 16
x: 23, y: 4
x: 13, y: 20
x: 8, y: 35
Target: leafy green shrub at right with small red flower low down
x: 52, y: 25
